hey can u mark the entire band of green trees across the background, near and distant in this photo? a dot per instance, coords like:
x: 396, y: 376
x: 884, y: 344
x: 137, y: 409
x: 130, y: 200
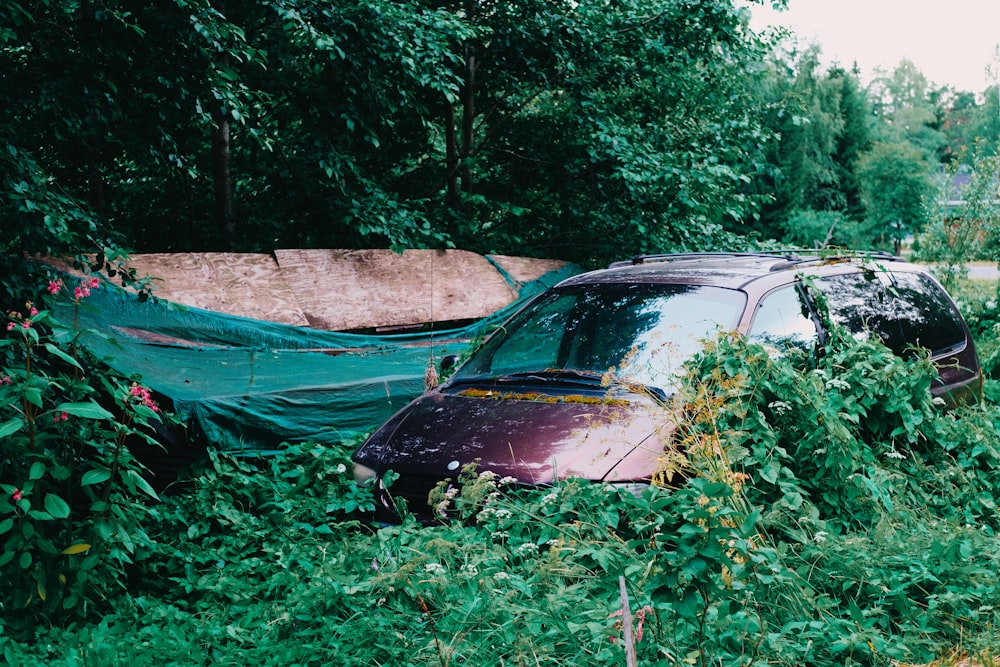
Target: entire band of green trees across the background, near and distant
x: 583, y: 131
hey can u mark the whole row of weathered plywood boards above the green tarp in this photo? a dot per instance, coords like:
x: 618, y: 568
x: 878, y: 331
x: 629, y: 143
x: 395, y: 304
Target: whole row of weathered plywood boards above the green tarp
x: 339, y: 290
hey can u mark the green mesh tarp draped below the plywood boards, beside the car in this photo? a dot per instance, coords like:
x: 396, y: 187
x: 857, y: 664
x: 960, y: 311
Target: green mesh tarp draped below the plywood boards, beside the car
x: 250, y: 385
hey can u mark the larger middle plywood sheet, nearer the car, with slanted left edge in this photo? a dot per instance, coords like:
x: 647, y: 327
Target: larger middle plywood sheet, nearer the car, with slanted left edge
x: 376, y: 288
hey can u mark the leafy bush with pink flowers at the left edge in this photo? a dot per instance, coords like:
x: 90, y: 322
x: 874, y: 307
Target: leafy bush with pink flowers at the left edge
x: 72, y: 496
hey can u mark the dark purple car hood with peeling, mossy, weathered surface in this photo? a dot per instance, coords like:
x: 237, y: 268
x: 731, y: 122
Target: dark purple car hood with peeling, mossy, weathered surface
x: 532, y: 437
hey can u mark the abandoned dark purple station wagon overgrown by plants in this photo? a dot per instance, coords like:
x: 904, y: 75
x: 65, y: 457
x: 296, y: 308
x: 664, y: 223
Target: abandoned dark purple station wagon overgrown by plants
x: 576, y: 383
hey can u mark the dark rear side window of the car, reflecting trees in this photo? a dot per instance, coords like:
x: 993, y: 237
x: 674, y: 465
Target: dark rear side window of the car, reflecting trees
x: 910, y: 311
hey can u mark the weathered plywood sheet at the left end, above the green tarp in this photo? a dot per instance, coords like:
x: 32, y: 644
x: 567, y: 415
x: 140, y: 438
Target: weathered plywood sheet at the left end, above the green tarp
x: 243, y: 284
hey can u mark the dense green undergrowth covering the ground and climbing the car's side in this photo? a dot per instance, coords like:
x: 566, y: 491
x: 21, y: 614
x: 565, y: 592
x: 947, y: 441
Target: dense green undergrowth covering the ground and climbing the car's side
x: 833, y: 514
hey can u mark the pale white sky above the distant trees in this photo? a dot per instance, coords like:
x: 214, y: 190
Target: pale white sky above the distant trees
x: 950, y: 41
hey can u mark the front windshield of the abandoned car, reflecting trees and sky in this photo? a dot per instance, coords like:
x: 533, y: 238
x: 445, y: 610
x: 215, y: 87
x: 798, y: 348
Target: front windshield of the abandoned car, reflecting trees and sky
x: 641, y: 332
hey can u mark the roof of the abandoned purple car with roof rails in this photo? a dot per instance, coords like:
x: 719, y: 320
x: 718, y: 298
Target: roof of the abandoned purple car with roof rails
x: 735, y: 270
